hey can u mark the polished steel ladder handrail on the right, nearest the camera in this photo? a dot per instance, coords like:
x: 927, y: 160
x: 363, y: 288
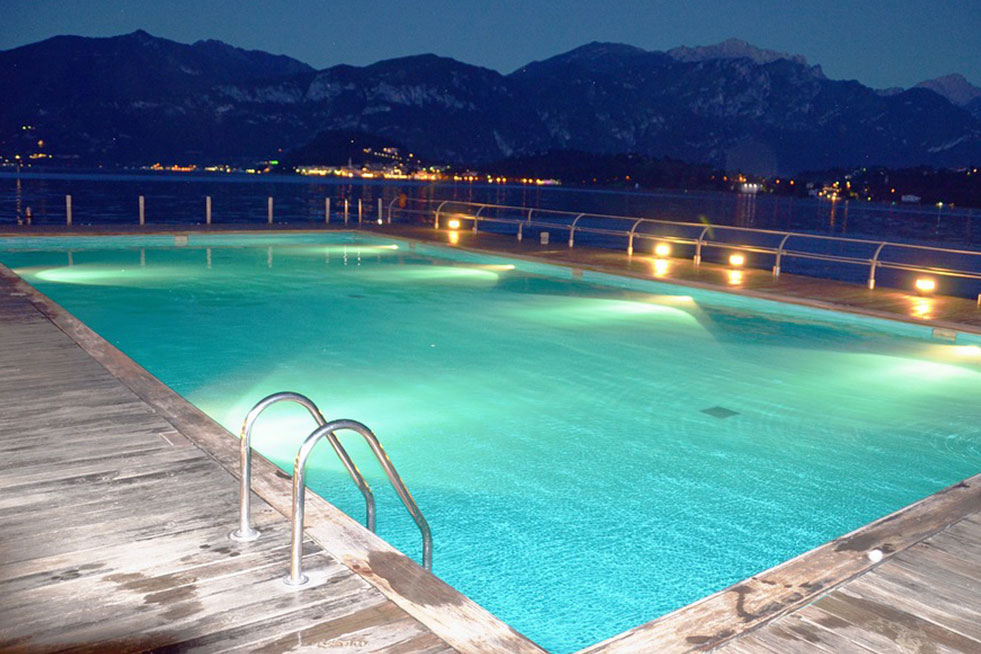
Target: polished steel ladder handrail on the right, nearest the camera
x: 296, y: 577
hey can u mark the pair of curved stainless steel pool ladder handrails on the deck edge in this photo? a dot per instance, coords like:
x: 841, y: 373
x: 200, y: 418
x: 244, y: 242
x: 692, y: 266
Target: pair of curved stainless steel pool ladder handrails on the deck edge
x: 325, y: 429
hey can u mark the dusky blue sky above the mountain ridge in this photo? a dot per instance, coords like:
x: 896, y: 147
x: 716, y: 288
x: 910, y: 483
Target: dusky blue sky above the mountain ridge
x: 881, y: 43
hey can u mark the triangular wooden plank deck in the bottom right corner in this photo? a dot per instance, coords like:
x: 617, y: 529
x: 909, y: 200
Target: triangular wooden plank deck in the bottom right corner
x: 924, y: 600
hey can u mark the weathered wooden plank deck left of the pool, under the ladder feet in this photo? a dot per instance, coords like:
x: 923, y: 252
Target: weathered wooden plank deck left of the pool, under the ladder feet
x: 113, y: 528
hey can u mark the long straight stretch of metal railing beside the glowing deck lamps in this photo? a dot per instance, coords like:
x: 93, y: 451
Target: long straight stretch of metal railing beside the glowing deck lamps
x: 780, y: 252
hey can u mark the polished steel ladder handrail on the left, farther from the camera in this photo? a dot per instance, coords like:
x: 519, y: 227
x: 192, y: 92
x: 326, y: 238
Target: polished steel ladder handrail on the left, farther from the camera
x: 245, y: 531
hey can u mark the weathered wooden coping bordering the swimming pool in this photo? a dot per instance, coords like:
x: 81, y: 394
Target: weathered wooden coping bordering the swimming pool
x: 429, y: 599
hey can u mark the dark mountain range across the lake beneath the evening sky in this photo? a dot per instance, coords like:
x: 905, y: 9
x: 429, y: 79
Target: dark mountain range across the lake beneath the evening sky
x: 136, y: 99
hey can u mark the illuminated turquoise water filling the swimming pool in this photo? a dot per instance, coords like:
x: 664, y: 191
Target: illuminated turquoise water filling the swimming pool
x: 591, y: 453
